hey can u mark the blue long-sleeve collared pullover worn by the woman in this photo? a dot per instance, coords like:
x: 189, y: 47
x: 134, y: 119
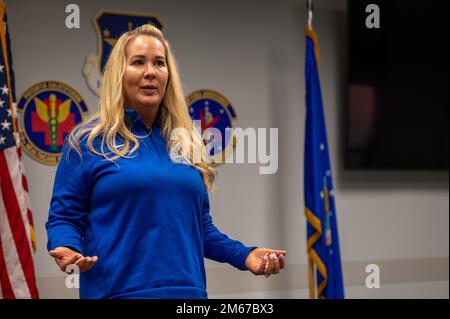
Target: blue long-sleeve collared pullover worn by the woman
x: 145, y: 217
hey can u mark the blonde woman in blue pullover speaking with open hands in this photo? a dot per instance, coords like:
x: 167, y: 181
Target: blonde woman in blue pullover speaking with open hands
x: 124, y: 210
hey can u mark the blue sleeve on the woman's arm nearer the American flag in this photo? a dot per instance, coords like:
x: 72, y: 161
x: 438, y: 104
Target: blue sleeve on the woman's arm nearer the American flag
x: 69, y: 205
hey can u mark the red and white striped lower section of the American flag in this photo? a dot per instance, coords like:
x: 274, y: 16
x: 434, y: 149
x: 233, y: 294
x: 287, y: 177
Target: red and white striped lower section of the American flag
x: 17, y: 277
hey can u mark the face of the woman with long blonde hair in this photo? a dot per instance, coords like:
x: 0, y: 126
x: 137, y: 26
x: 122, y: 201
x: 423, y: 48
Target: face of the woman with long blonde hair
x: 146, y: 73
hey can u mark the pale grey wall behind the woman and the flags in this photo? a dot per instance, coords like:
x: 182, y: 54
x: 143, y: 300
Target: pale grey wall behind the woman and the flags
x: 253, y: 53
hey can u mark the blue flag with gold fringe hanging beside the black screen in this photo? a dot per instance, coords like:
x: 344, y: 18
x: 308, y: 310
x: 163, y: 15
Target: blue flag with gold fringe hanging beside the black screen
x: 324, y: 260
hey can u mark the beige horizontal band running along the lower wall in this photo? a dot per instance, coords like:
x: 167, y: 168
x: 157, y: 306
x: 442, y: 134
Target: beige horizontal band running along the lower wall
x: 225, y: 279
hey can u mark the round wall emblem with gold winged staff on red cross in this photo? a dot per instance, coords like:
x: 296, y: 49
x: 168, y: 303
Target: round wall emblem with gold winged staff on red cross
x: 50, y: 110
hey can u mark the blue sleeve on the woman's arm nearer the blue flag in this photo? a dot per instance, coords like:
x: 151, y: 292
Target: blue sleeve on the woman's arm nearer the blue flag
x: 218, y: 246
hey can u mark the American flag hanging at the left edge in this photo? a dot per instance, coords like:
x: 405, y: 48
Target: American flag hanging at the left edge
x: 17, y: 278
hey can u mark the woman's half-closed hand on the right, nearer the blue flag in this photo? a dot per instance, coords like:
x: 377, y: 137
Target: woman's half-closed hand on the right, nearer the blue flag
x: 265, y: 261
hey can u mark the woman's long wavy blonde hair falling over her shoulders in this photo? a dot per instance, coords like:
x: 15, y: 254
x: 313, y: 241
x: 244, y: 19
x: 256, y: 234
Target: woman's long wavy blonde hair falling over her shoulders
x: 109, y: 121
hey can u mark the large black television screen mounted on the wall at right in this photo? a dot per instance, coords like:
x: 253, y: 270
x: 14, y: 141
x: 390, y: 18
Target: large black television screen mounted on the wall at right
x: 397, y: 110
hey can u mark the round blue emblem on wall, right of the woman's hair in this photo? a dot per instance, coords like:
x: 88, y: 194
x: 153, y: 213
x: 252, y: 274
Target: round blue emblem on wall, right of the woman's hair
x: 213, y: 110
